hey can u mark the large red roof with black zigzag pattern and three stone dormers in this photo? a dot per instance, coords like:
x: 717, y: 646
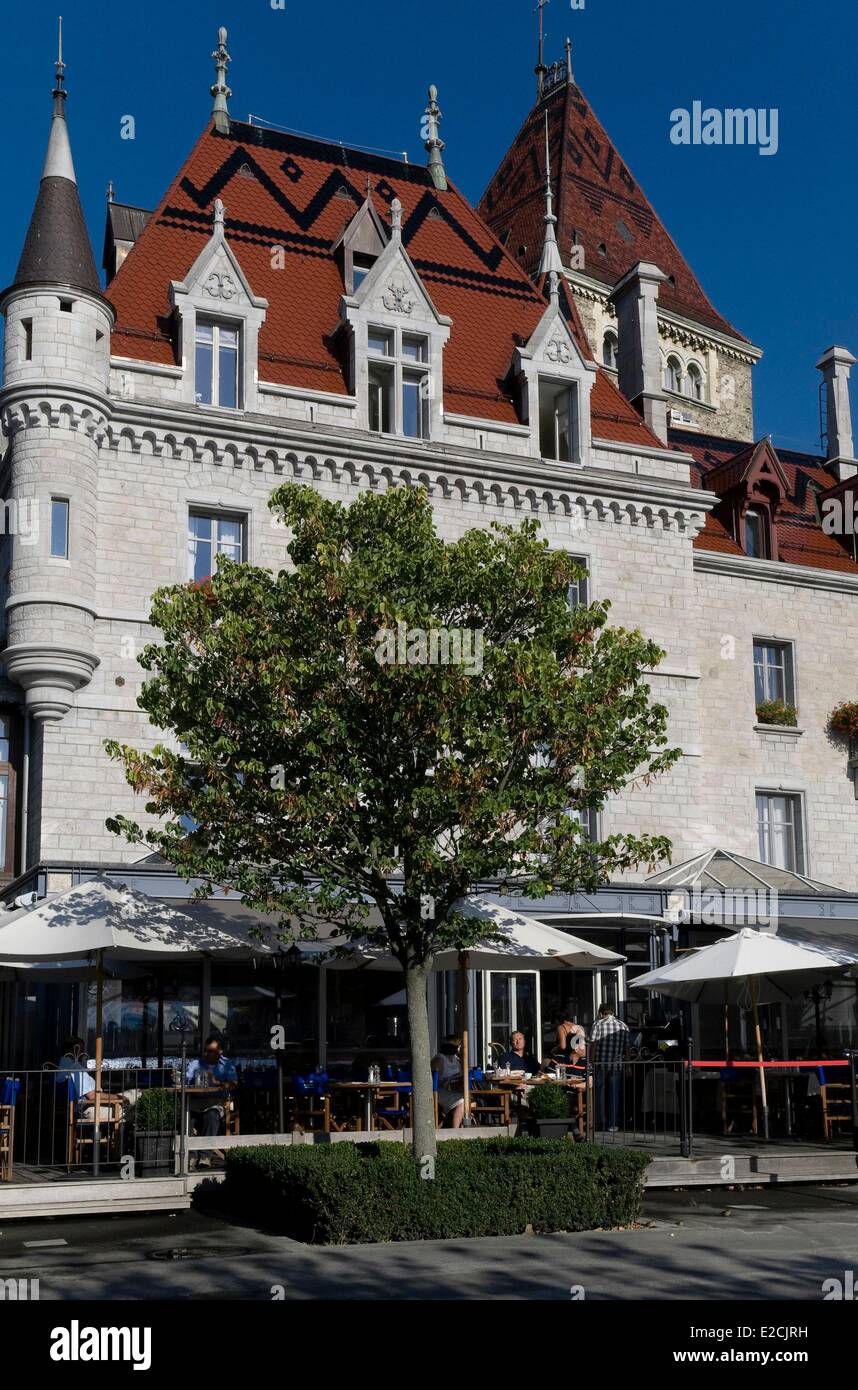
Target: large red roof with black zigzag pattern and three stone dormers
x: 300, y: 194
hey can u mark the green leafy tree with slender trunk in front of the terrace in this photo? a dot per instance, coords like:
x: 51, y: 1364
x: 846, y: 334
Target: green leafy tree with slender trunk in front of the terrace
x: 341, y: 762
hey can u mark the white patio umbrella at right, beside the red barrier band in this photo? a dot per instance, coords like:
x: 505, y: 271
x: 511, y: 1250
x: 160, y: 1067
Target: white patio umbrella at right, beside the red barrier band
x: 750, y: 968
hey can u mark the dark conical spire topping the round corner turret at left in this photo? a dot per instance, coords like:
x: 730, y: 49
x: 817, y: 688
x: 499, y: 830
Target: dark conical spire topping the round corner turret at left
x: 58, y: 250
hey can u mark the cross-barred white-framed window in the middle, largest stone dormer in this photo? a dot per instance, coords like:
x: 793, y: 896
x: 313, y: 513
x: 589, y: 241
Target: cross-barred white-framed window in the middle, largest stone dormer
x: 398, y: 383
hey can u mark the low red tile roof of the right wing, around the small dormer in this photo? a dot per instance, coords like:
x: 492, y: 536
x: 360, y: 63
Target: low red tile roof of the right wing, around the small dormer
x: 800, y: 536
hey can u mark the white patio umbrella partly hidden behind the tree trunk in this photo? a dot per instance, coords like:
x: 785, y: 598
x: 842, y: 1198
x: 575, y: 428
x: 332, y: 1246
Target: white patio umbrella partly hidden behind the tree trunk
x: 521, y: 945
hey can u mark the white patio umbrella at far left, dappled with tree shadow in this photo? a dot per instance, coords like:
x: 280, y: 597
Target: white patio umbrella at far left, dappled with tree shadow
x: 95, y: 919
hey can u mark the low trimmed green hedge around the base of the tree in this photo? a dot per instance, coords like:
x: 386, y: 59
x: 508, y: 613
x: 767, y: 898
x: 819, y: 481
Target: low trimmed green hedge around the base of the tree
x: 362, y: 1193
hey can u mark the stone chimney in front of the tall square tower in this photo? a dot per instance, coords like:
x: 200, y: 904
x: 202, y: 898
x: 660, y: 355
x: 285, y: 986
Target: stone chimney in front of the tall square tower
x: 640, y: 368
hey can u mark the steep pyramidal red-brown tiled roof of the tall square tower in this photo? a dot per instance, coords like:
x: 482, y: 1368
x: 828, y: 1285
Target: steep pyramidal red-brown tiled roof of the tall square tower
x: 599, y: 205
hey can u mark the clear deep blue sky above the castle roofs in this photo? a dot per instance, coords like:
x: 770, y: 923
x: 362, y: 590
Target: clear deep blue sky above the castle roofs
x: 771, y: 238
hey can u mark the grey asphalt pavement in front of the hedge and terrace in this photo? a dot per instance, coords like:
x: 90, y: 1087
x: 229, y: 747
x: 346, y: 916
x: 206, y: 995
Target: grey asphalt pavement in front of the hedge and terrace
x: 704, y: 1243
